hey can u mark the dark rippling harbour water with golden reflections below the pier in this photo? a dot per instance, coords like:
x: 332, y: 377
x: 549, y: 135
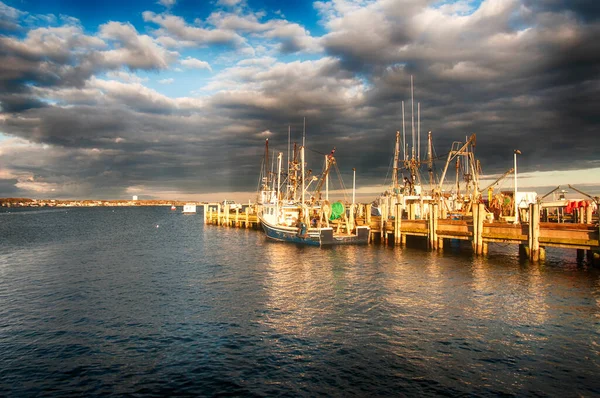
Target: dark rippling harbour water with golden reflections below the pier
x: 150, y: 302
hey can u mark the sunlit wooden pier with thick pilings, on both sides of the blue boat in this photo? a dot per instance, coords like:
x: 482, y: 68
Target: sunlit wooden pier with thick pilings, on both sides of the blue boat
x: 532, y: 237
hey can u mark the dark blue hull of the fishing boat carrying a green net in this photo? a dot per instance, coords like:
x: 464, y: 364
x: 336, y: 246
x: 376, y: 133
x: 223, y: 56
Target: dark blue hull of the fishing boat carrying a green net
x: 314, y: 236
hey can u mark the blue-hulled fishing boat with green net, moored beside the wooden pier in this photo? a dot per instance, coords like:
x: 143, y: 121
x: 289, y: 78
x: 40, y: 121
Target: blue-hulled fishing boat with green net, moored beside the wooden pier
x: 286, y: 217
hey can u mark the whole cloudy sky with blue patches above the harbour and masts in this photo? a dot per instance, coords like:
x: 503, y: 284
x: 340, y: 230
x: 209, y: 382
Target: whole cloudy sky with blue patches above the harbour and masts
x: 174, y: 99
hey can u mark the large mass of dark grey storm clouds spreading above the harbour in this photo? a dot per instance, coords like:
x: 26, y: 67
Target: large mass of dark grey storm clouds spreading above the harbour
x: 518, y: 74
